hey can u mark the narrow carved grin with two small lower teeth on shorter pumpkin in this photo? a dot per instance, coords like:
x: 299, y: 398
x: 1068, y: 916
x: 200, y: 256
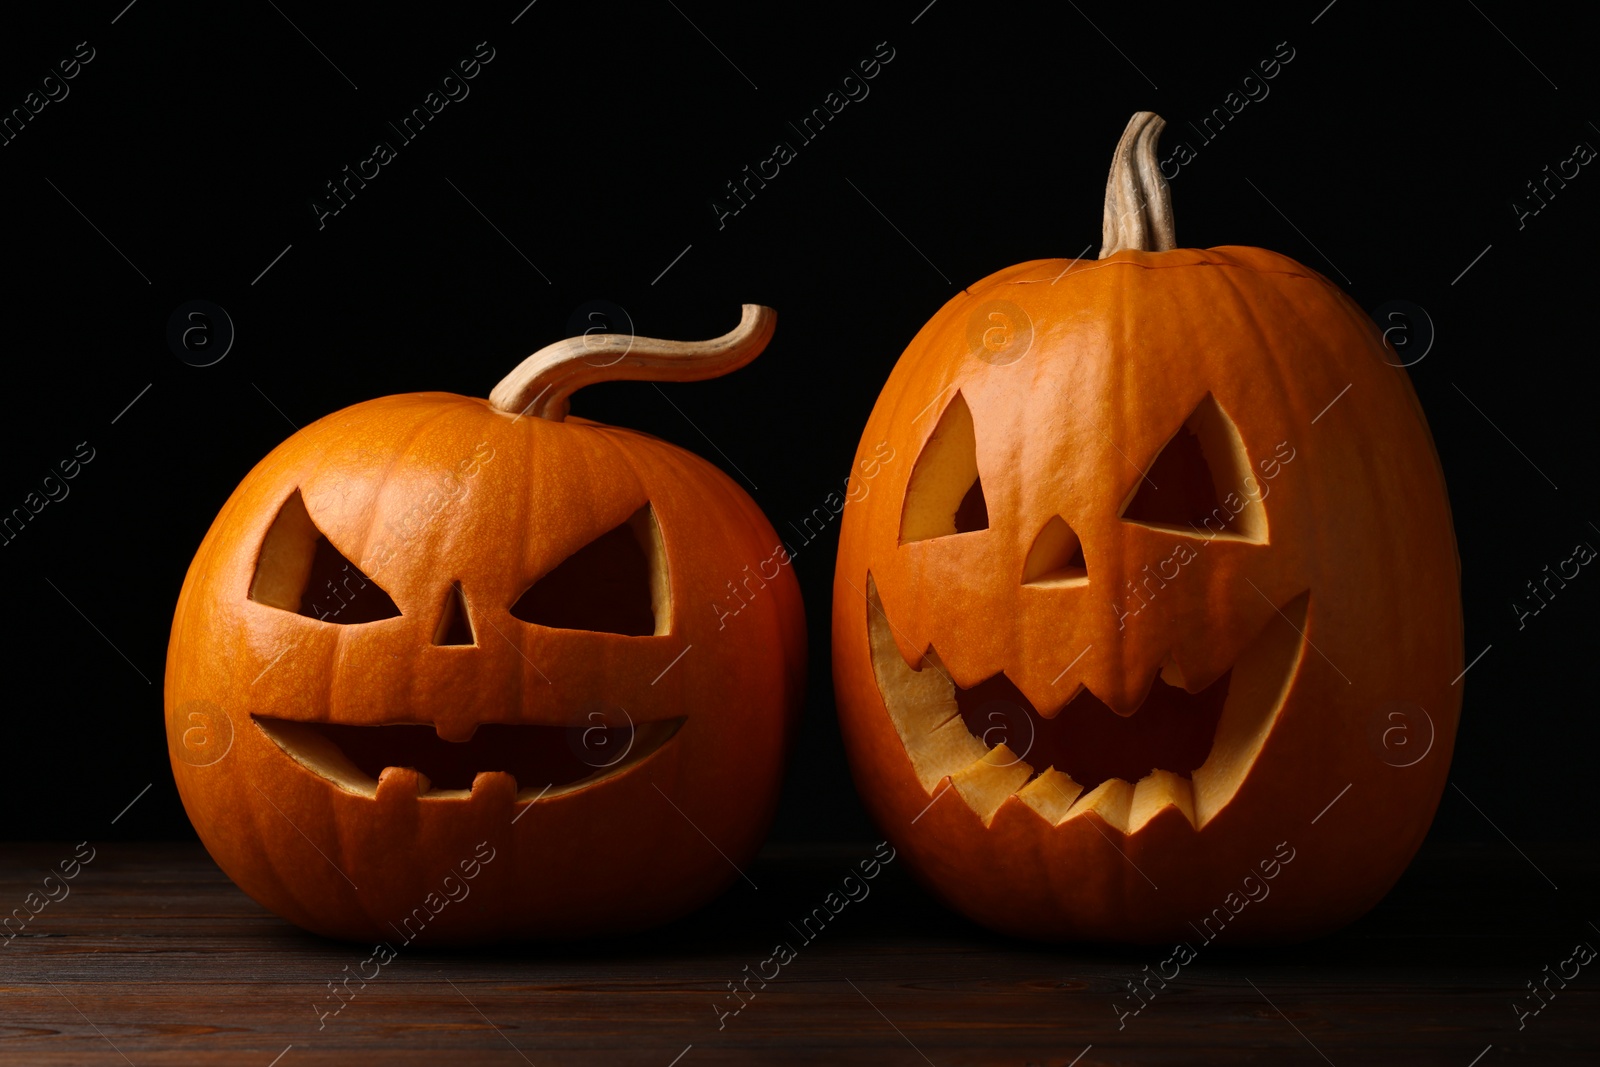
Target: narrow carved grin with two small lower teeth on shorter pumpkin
x: 412, y: 759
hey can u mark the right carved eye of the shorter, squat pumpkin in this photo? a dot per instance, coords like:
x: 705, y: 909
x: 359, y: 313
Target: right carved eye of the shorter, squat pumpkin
x: 614, y: 585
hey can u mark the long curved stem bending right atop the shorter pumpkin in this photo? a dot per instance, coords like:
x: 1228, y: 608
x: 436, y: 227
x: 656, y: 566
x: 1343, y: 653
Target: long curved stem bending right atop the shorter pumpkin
x: 543, y: 385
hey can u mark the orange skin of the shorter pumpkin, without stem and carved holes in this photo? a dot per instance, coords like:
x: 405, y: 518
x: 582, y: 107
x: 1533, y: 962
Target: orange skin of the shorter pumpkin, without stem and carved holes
x: 423, y: 492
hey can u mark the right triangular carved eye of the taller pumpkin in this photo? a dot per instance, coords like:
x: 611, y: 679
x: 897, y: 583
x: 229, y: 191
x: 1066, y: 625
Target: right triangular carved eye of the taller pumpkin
x: 1201, y: 484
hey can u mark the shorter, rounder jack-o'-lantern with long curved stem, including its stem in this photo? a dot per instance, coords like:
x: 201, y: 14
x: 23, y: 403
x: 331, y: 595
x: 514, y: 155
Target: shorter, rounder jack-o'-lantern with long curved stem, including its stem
x: 442, y: 669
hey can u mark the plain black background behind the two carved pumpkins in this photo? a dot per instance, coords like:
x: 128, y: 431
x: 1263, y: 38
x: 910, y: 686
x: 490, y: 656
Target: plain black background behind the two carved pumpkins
x: 193, y: 145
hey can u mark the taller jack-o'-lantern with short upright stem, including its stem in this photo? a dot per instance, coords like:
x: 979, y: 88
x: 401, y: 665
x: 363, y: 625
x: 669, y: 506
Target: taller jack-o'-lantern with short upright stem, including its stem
x: 1174, y: 540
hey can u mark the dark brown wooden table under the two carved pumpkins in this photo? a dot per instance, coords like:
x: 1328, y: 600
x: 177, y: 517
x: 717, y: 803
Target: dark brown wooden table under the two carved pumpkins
x: 158, y: 959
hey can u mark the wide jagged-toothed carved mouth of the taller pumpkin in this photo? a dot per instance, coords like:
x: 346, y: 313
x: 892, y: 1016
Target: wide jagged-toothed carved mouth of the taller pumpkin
x: 1180, y: 749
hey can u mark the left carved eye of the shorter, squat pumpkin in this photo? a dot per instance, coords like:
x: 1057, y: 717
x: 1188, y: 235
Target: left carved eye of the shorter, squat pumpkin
x: 302, y: 572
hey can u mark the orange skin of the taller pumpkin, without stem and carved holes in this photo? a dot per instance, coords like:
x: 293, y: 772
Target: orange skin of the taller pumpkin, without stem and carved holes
x: 1359, y: 524
